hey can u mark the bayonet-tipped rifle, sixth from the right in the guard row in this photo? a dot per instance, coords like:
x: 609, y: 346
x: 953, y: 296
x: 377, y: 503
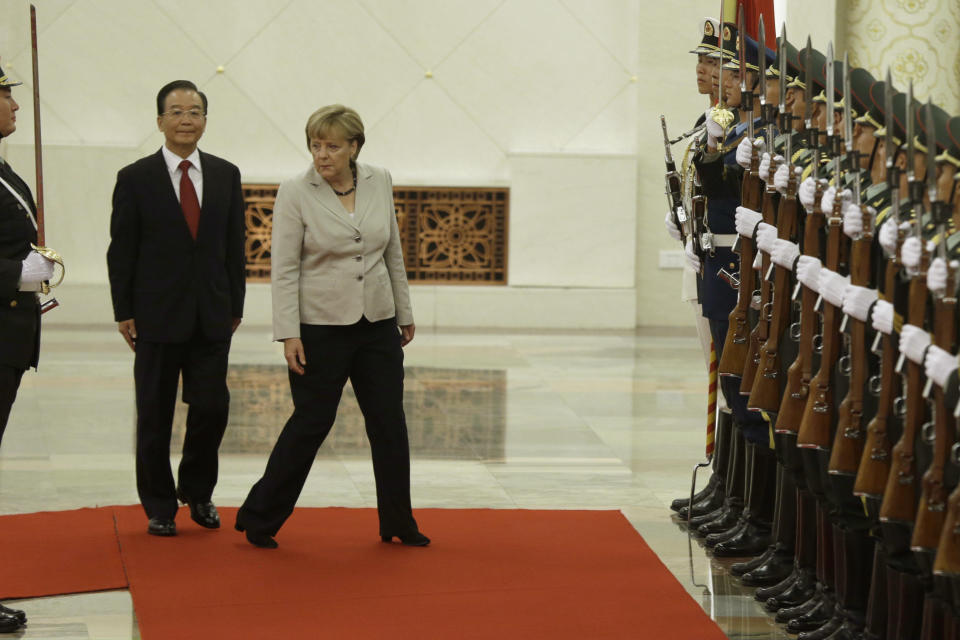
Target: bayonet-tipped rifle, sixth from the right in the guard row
x: 815, y: 426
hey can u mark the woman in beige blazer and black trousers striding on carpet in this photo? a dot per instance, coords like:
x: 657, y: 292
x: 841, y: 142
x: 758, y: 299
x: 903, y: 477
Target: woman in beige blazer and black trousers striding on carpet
x: 341, y: 307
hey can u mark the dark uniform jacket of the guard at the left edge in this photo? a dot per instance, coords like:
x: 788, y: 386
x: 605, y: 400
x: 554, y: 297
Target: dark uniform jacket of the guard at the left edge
x: 19, y: 310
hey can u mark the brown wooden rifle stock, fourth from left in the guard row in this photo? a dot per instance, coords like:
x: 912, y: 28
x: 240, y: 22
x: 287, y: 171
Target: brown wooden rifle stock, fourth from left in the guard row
x: 800, y: 372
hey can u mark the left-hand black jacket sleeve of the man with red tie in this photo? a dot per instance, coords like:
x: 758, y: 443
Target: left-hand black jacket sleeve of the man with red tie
x: 122, y: 252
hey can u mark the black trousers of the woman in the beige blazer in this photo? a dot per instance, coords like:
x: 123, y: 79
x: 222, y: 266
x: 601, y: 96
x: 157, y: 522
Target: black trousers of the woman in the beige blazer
x: 368, y: 353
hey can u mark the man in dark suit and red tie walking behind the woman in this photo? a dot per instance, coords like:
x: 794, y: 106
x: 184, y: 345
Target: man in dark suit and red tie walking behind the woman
x: 177, y: 270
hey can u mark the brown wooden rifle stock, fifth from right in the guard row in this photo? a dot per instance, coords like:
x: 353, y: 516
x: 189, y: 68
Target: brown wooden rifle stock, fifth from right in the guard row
x: 848, y: 441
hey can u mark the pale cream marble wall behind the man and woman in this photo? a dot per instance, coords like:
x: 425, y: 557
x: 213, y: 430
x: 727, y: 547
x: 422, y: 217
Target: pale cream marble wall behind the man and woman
x: 554, y: 98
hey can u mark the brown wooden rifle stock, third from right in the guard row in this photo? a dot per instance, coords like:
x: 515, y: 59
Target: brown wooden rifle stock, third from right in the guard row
x: 899, y: 498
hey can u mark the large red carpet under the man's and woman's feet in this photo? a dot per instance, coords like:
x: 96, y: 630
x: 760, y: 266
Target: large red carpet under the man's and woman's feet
x: 490, y: 574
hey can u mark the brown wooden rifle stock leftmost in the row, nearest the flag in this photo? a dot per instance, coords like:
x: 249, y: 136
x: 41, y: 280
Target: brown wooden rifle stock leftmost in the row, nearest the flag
x: 735, y: 342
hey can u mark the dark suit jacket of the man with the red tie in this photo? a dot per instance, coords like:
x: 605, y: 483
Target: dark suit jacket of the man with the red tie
x: 160, y: 276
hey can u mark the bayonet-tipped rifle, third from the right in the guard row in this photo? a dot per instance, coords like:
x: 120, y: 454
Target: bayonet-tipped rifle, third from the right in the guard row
x: 899, y: 498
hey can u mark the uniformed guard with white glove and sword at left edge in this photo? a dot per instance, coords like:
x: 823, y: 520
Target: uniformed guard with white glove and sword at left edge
x: 22, y: 271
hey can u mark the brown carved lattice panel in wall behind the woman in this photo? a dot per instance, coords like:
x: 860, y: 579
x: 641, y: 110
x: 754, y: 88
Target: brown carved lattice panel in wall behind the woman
x: 450, y: 235
